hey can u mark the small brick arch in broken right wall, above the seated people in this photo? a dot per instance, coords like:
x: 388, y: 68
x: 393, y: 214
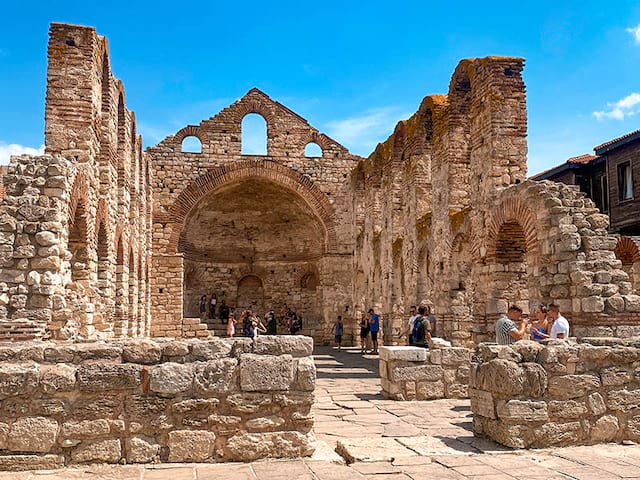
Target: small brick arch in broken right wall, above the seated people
x: 513, y: 211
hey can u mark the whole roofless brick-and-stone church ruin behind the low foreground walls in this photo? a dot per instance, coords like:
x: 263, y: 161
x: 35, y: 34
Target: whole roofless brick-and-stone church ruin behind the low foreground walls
x: 99, y: 239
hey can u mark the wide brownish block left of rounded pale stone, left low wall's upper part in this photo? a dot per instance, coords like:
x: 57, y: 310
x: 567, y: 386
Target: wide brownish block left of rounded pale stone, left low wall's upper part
x: 96, y: 377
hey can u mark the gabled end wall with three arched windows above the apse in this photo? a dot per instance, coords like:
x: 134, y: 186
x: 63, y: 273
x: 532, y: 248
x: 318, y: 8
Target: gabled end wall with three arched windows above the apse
x: 315, y: 186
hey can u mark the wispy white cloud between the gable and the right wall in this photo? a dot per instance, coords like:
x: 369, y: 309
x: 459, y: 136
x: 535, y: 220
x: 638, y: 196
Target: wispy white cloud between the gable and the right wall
x: 363, y: 132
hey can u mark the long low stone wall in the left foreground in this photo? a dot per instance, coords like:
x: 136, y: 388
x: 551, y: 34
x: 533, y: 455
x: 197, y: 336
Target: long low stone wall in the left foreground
x: 139, y: 401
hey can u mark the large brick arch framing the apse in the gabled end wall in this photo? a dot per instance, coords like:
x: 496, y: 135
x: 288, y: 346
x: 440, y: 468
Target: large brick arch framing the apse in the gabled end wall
x: 252, y: 169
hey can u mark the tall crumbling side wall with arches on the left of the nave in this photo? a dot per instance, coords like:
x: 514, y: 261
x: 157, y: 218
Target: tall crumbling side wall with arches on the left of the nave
x: 91, y: 195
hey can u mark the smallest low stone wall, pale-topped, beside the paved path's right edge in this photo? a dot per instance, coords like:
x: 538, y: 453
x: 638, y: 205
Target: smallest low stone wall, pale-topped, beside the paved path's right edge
x: 413, y: 373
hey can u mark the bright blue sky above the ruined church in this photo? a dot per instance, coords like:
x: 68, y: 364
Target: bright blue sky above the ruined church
x: 352, y: 69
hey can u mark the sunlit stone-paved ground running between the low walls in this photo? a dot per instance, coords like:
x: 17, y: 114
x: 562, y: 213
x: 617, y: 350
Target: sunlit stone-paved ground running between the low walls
x: 385, y: 440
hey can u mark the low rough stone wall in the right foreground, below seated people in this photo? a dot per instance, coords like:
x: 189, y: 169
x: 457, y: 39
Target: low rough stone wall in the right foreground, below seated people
x: 532, y: 395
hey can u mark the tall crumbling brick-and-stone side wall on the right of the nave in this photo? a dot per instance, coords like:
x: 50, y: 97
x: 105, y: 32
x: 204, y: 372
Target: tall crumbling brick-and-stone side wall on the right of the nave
x: 444, y: 217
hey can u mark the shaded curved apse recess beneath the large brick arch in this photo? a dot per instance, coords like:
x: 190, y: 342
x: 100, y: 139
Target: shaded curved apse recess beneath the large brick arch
x: 247, y: 241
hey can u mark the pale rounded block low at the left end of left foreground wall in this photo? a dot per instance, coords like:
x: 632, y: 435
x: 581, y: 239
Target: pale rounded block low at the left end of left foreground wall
x: 32, y: 434
